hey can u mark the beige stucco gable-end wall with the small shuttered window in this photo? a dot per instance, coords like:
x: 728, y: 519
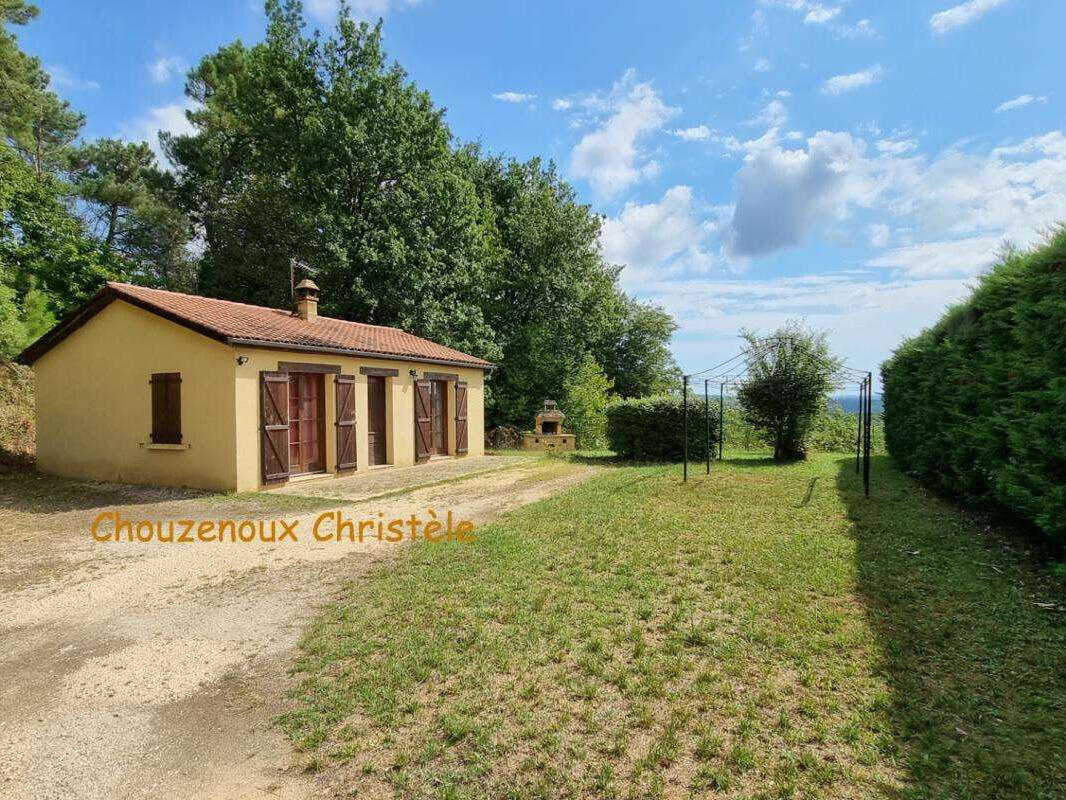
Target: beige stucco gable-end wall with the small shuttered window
x: 94, y: 403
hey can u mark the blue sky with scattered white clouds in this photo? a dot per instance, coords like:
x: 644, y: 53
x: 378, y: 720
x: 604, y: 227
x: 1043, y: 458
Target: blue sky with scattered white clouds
x: 855, y: 163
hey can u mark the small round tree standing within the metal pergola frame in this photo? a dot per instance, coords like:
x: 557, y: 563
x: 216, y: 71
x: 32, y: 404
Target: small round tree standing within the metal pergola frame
x: 789, y: 378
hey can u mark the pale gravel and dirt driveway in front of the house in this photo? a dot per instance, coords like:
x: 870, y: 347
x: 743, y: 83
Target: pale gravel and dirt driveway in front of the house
x: 154, y: 670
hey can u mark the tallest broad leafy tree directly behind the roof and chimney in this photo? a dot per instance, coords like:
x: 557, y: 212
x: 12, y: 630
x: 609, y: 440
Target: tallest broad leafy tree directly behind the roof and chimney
x: 316, y: 149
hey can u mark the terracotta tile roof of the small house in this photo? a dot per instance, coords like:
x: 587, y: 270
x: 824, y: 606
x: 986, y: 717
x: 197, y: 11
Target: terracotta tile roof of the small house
x: 239, y: 324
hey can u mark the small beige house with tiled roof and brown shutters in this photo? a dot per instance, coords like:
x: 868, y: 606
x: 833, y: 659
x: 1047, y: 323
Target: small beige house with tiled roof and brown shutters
x: 151, y: 387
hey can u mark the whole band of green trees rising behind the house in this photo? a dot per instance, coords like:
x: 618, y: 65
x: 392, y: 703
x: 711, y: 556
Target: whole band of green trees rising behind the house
x: 316, y: 148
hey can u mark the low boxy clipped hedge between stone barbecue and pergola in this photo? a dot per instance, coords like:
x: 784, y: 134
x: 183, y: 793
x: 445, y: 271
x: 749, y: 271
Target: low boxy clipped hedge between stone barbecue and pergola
x: 653, y: 429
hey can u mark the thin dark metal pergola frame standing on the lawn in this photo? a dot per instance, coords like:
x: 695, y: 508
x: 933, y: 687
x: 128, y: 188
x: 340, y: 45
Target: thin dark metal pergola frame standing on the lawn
x: 733, y: 372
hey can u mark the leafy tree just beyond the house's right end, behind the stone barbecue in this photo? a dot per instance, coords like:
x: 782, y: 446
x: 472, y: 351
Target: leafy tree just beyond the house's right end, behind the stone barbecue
x: 548, y: 295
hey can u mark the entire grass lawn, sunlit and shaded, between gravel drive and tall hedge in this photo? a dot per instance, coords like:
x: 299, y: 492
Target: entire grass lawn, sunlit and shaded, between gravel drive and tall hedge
x: 764, y: 632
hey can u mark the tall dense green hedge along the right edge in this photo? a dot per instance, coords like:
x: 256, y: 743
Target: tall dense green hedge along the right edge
x: 976, y: 407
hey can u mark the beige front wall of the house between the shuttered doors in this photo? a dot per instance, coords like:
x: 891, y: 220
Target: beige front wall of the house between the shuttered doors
x: 399, y: 409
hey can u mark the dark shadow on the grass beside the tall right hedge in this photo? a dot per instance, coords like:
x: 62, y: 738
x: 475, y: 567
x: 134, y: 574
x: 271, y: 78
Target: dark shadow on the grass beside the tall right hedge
x: 977, y: 668
